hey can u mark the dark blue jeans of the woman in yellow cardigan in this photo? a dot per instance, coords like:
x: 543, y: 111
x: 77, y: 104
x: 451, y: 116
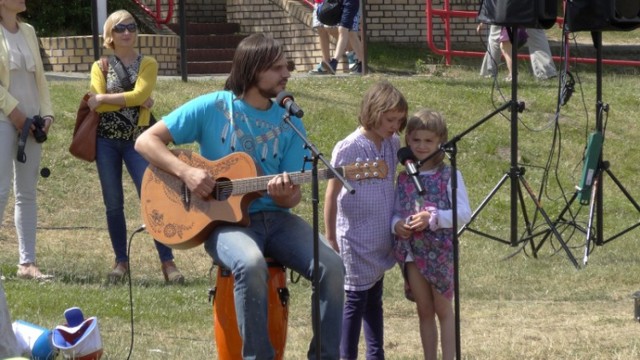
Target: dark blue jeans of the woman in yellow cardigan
x: 110, y: 154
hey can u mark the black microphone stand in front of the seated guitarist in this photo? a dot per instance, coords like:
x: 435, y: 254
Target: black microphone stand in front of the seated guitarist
x: 315, y: 156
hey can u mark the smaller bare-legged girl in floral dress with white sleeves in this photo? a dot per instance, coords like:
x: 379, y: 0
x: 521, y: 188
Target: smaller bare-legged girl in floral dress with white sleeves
x: 424, y: 237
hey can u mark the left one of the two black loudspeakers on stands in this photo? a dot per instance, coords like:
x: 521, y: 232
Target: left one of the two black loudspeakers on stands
x: 521, y: 13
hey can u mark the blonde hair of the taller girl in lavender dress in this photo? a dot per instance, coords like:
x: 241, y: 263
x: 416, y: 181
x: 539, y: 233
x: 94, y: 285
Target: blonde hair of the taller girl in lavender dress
x: 380, y: 98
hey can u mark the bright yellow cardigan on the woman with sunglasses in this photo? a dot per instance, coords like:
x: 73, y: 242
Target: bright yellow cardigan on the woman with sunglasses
x: 147, y: 76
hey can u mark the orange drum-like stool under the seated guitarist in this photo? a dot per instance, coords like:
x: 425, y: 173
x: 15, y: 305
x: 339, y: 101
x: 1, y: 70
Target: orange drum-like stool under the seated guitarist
x: 227, y: 337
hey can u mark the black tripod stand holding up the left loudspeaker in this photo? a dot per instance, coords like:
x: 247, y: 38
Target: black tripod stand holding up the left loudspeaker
x: 515, y: 175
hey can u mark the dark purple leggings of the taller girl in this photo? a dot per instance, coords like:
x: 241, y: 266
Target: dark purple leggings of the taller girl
x: 363, y: 307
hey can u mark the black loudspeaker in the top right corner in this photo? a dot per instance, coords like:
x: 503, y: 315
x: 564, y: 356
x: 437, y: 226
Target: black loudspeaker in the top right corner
x: 599, y: 15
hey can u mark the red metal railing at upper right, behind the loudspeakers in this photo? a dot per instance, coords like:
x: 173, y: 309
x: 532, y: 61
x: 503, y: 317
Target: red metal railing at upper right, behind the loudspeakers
x: 445, y: 14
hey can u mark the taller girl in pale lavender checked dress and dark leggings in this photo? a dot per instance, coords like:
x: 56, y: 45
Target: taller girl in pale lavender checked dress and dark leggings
x: 357, y: 225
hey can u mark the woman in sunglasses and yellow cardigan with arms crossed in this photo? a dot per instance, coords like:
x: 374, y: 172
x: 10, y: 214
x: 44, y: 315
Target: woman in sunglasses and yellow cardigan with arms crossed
x: 123, y: 100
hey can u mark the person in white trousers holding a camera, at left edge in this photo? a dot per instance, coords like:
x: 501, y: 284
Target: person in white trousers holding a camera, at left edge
x: 24, y: 93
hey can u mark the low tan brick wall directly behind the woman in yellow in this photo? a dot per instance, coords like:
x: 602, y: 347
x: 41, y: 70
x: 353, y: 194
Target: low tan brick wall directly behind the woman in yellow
x: 75, y: 53
